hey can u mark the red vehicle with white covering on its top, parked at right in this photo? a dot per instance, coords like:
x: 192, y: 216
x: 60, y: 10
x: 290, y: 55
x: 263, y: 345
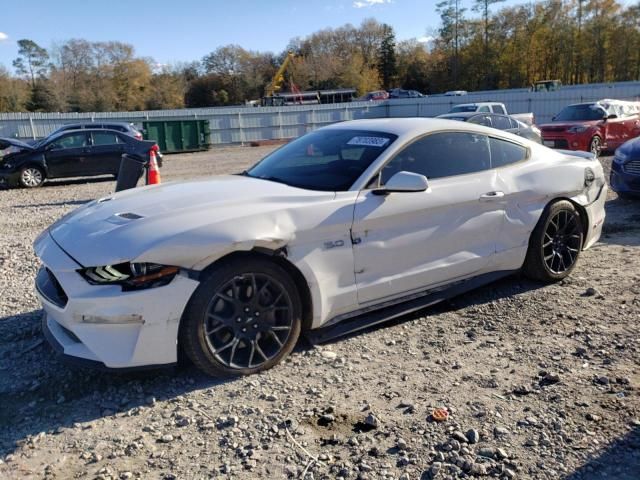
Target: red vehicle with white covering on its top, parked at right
x: 594, y: 126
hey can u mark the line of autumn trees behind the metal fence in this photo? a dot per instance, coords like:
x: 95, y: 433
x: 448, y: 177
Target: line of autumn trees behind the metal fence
x: 477, y: 46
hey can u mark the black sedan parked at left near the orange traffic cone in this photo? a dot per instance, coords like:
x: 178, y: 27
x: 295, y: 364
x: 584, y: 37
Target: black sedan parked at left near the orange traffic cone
x: 76, y: 153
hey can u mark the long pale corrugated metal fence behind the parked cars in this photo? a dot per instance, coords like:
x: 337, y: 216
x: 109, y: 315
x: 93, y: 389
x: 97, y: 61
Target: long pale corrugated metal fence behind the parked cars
x: 245, y: 124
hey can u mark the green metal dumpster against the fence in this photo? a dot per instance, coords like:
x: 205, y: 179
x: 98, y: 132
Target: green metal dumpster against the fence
x: 173, y: 136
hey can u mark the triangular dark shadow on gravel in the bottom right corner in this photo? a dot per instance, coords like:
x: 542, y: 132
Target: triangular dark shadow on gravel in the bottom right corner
x: 619, y: 460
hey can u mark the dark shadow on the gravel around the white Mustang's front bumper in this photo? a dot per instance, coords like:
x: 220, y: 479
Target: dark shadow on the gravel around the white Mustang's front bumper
x: 41, y: 393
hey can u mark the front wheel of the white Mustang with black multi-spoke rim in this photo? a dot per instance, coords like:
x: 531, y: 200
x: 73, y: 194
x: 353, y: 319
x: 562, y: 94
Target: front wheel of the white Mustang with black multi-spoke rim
x: 244, y: 318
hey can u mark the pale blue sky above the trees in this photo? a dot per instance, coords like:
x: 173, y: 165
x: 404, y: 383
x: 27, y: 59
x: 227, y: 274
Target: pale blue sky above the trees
x: 172, y: 31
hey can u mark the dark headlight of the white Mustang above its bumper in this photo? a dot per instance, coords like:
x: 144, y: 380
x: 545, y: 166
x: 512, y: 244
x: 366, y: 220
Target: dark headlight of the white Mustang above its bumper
x: 132, y: 276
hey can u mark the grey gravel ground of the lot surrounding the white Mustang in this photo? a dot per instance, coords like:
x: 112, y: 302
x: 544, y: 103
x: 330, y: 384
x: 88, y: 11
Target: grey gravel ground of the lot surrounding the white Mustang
x: 540, y: 381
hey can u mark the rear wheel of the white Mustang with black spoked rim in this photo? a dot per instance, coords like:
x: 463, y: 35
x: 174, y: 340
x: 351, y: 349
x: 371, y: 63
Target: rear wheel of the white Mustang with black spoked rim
x: 555, y: 243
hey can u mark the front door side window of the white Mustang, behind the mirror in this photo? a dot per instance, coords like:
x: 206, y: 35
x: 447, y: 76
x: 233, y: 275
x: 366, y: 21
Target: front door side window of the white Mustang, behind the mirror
x: 442, y: 155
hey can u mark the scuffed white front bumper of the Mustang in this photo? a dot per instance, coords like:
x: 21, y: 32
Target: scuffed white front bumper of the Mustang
x: 103, y: 326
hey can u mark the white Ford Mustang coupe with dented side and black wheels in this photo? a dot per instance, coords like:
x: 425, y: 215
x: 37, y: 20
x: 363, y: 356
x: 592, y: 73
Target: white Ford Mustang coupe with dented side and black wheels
x: 349, y: 225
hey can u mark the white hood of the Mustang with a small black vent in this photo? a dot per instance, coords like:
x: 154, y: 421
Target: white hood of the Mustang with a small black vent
x: 181, y: 223
